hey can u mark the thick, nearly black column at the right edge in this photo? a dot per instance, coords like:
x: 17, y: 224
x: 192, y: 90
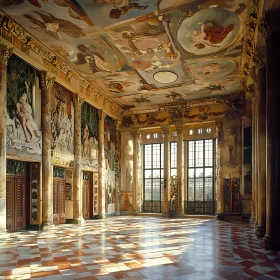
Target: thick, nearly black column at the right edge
x: 272, y: 41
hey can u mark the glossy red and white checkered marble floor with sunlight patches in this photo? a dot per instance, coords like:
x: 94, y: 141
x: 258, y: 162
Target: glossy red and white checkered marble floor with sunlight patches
x: 137, y: 248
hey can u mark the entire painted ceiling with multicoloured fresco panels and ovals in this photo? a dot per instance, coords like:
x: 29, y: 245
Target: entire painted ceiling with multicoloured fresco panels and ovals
x: 146, y: 53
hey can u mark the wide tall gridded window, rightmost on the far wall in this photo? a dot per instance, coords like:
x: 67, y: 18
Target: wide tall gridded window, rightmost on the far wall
x: 201, y: 177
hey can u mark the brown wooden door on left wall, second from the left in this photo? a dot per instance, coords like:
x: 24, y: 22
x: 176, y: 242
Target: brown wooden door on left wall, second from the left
x: 59, y: 202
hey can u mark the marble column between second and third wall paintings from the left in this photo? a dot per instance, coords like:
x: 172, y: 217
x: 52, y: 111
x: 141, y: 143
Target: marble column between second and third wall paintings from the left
x: 77, y: 178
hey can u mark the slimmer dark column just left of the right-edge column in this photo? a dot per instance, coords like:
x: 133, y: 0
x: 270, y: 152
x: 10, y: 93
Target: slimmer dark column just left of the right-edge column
x: 261, y: 151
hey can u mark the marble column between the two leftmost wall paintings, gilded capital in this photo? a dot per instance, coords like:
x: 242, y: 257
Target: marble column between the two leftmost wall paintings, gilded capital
x: 46, y: 84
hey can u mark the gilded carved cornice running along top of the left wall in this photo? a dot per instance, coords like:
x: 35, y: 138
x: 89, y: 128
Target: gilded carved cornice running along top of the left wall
x: 11, y: 27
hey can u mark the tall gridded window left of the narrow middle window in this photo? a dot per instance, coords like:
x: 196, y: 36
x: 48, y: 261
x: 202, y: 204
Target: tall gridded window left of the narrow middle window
x: 153, y: 178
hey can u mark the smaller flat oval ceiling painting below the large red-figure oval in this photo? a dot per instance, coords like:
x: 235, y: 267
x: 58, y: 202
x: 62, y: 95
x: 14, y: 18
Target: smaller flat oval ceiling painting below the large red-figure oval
x: 213, y: 69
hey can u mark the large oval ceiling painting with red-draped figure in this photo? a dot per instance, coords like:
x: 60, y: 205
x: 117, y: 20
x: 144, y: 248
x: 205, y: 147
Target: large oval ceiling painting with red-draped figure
x: 208, y: 31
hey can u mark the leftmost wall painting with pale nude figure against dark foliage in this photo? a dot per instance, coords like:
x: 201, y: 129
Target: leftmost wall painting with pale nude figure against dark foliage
x: 23, y: 107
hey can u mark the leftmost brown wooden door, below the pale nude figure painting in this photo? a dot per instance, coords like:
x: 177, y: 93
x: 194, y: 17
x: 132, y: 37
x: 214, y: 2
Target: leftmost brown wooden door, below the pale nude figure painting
x: 15, y: 207
